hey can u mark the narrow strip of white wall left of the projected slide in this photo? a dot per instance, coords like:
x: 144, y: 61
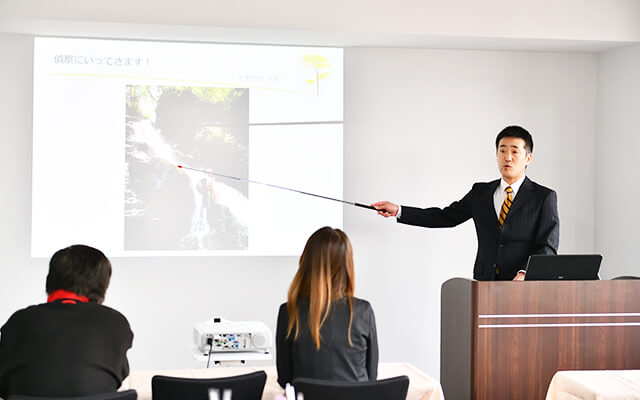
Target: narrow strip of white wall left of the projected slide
x: 17, y: 272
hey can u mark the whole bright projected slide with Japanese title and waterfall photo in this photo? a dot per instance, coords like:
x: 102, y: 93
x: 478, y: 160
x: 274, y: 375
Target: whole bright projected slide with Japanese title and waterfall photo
x: 113, y: 120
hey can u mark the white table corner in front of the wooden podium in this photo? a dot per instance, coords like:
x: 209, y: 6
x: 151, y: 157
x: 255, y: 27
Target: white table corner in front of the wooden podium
x: 595, y: 385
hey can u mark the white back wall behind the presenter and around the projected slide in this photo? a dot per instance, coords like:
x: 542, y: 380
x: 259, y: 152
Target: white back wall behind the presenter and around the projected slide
x: 419, y: 129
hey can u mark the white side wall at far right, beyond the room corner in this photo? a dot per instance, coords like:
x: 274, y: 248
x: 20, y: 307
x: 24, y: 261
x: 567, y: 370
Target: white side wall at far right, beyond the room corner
x: 617, y: 171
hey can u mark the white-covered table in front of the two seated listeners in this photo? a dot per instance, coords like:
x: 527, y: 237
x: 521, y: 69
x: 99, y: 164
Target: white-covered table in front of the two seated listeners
x: 421, y: 386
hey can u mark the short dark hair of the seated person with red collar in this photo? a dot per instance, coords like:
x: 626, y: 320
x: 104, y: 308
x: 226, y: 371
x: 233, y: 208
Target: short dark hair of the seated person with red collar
x: 80, y: 269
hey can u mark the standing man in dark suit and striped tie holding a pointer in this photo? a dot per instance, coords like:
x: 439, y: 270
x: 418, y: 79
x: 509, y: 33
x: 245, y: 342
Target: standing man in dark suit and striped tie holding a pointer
x: 514, y: 216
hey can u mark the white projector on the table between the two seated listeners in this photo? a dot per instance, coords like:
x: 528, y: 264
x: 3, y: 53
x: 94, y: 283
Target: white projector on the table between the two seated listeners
x: 230, y: 336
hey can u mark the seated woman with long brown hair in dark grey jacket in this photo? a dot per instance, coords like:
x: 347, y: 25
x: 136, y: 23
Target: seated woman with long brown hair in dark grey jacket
x: 323, y: 331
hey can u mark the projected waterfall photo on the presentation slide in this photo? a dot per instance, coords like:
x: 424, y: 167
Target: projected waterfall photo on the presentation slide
x: 167, y: 208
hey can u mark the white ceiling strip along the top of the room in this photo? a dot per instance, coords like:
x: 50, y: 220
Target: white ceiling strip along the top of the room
x: 588, y: 26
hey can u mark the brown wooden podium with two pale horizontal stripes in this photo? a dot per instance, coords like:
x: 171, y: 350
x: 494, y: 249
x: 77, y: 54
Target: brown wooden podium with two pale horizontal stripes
x: 505, y: 340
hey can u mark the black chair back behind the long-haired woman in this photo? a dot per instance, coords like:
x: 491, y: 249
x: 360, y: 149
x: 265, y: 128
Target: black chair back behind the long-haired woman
x: 386, y: 389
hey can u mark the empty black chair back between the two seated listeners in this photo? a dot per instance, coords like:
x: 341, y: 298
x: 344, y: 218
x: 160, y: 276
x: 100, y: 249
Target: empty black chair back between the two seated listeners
x: 243, y: 387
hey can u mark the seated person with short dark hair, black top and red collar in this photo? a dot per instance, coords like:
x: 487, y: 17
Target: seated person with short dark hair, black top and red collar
x: 71, y: 345
